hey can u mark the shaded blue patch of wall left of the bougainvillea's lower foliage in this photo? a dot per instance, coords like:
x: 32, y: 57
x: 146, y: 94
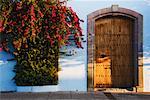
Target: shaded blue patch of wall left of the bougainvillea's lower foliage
x: 6, y: 72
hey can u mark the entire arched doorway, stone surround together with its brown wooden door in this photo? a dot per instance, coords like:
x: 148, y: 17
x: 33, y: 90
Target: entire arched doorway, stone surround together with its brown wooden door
x: 114, y: 49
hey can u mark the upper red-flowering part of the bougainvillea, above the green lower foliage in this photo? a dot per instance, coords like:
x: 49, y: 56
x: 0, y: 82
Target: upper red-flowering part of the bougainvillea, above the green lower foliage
x: 31, y: 19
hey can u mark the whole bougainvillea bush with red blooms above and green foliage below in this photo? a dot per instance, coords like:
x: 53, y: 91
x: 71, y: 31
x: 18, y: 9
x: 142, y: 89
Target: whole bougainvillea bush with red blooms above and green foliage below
x: 36, y: 29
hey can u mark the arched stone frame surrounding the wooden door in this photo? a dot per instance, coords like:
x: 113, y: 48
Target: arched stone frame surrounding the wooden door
x: 137, y: 43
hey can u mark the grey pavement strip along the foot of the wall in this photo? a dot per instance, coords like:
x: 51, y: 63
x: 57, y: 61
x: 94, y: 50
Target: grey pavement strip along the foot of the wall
x: 74, y: 96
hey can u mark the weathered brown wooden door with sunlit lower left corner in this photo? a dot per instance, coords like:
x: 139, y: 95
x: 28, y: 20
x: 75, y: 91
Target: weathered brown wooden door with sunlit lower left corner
x: 113, y: 52
